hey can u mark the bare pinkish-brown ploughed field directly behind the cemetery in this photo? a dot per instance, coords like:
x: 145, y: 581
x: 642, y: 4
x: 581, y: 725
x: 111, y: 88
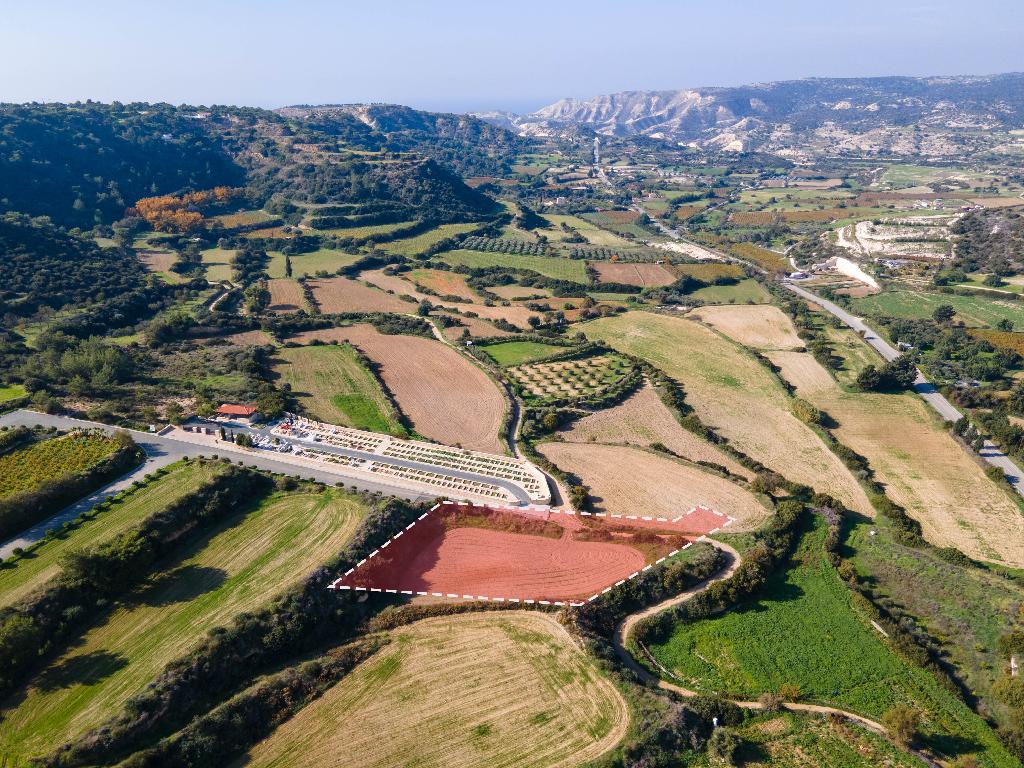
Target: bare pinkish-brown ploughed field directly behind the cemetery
x: 447, y: 398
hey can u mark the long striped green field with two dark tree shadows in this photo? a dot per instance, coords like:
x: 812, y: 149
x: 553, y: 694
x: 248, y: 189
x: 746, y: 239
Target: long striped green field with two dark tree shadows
x: 238, y: 567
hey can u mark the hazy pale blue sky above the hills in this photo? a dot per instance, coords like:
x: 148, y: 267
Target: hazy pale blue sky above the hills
x: 462, y: 55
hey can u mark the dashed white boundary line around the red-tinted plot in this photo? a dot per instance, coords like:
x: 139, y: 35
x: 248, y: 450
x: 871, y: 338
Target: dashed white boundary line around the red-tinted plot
x: 337, y: 585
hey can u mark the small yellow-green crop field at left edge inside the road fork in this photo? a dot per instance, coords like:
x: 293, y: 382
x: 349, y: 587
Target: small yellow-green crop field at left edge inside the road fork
x: 28, y: 468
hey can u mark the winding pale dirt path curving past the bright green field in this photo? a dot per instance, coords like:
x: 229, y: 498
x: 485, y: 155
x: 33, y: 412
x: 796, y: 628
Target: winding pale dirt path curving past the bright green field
x: 625, y: 629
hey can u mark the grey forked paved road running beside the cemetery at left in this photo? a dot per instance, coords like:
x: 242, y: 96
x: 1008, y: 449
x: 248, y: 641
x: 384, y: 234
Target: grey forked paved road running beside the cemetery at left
x: 161, y: 452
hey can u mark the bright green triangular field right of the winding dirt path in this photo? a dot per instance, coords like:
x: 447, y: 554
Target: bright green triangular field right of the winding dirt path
x: 812, y: 634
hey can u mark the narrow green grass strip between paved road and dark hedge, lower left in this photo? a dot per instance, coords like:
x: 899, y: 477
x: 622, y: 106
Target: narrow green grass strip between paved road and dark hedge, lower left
x: 31, y: 572
